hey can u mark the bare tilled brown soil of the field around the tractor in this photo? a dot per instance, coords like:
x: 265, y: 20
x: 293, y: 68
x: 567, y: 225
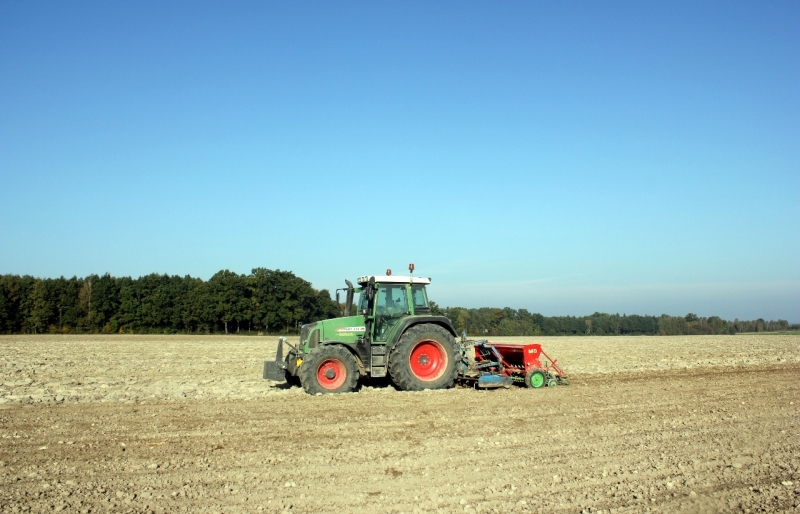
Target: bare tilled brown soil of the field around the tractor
x: 170, y: 423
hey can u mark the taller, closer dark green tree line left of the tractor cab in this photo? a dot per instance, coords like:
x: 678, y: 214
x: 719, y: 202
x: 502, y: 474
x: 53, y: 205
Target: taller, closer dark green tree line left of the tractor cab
x: 265, y: 300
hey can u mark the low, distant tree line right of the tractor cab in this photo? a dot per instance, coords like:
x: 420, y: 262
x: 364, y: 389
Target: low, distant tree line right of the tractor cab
x: 510, y: 322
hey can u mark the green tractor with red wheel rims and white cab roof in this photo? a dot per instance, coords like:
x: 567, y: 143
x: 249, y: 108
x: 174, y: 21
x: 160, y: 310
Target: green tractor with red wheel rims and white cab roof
x: 393, y: 335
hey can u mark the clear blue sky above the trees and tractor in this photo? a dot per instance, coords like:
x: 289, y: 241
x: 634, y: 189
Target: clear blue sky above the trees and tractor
x: 562, y: 157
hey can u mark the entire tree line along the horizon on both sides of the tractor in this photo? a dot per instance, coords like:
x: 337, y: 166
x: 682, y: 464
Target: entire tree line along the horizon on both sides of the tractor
x: 275, y: 301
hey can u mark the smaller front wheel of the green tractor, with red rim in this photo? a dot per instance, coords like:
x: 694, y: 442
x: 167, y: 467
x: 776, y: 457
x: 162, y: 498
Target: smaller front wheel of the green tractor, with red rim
x: 328, y: 369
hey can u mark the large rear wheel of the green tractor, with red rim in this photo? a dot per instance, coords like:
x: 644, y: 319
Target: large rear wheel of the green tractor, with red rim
x: 436, y: 353
